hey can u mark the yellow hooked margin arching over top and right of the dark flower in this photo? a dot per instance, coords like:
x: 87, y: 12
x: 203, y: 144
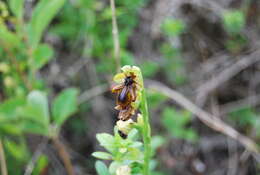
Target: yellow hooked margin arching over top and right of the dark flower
x: 126, y: 71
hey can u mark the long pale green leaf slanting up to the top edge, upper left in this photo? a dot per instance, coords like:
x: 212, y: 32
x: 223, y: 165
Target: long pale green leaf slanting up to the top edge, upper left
x: 42, y: 15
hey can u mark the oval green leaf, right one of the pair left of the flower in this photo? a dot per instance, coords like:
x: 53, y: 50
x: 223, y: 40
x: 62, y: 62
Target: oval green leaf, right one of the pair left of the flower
x: 64, y: 105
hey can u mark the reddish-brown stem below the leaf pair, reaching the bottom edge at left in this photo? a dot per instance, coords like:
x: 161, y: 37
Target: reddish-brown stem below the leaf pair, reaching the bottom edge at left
x: 64, y: 155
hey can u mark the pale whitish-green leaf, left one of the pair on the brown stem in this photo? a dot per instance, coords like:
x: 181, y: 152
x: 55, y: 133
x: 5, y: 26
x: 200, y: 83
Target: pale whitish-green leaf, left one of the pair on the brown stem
x: 37, y: 108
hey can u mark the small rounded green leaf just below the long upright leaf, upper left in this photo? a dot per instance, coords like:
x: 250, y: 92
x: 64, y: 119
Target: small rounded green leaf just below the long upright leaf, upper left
x: 42, y: 55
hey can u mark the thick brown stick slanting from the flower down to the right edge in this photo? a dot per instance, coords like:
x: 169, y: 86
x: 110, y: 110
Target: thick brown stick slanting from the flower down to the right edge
x: 207, y: 118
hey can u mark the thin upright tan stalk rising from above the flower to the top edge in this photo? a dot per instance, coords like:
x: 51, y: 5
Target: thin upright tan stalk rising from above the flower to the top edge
x: 115, y: 36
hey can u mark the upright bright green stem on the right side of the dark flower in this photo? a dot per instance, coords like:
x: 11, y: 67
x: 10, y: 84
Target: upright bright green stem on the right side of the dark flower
x: 146, y: 131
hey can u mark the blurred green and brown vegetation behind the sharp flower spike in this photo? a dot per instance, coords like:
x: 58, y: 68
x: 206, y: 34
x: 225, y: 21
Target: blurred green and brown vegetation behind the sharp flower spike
x: 56, y: 68
